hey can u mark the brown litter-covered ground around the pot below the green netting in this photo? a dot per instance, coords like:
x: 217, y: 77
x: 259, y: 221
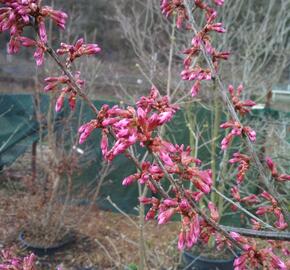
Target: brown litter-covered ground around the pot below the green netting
x: 104, y: 240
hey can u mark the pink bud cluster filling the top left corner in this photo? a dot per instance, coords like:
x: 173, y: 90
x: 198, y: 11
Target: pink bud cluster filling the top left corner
x: 15, y: 15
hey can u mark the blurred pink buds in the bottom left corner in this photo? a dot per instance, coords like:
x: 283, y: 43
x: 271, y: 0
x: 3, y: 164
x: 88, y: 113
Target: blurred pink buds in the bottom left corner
x: 9, y: 261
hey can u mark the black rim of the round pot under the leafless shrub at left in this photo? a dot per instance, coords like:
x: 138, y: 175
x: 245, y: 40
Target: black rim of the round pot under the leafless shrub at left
x: 45, y: 250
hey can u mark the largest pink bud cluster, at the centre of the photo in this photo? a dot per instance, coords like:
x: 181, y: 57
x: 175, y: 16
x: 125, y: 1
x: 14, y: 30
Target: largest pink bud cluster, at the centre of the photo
x: 130, y: 125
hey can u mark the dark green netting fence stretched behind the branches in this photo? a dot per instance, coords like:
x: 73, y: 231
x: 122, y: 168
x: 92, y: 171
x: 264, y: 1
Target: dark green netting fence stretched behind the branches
x: 19, y: 129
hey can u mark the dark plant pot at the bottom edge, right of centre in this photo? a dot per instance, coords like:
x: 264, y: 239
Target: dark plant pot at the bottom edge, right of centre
x: 194, y: 262
